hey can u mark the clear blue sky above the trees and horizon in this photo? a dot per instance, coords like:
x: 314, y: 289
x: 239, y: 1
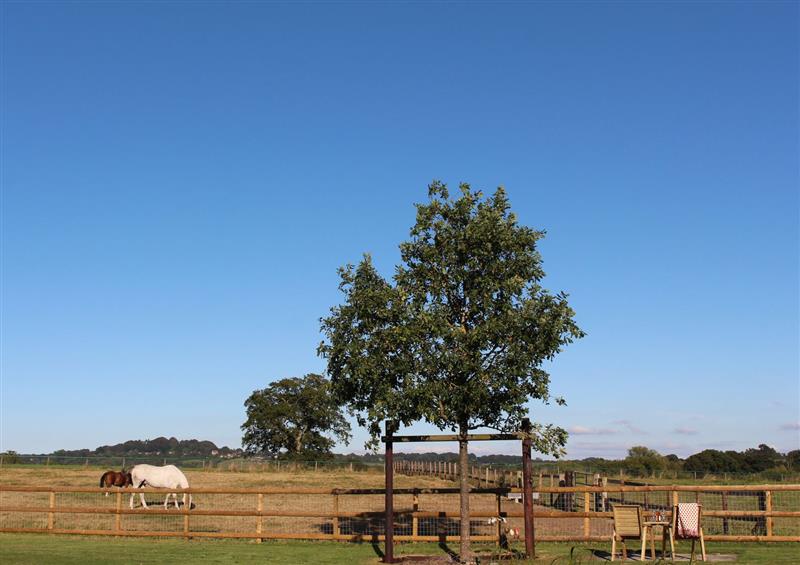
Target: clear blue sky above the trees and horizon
x: 181, y: 181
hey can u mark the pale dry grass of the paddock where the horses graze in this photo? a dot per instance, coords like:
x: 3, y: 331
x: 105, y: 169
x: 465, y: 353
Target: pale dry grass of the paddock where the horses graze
x: 367, y: 507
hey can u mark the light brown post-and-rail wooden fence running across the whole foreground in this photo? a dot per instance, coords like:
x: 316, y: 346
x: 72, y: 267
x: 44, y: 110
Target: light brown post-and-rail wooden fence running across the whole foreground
x: 730, y: 513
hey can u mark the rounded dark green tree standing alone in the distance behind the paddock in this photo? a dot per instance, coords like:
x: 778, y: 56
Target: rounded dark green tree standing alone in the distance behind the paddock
x: 295, y: 417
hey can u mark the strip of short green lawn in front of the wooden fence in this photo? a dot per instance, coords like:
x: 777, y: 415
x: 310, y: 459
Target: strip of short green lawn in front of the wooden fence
x: 67, y: 550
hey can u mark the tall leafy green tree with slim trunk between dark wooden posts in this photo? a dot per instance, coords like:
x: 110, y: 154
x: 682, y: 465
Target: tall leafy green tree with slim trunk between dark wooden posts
x: 460, y: 336
